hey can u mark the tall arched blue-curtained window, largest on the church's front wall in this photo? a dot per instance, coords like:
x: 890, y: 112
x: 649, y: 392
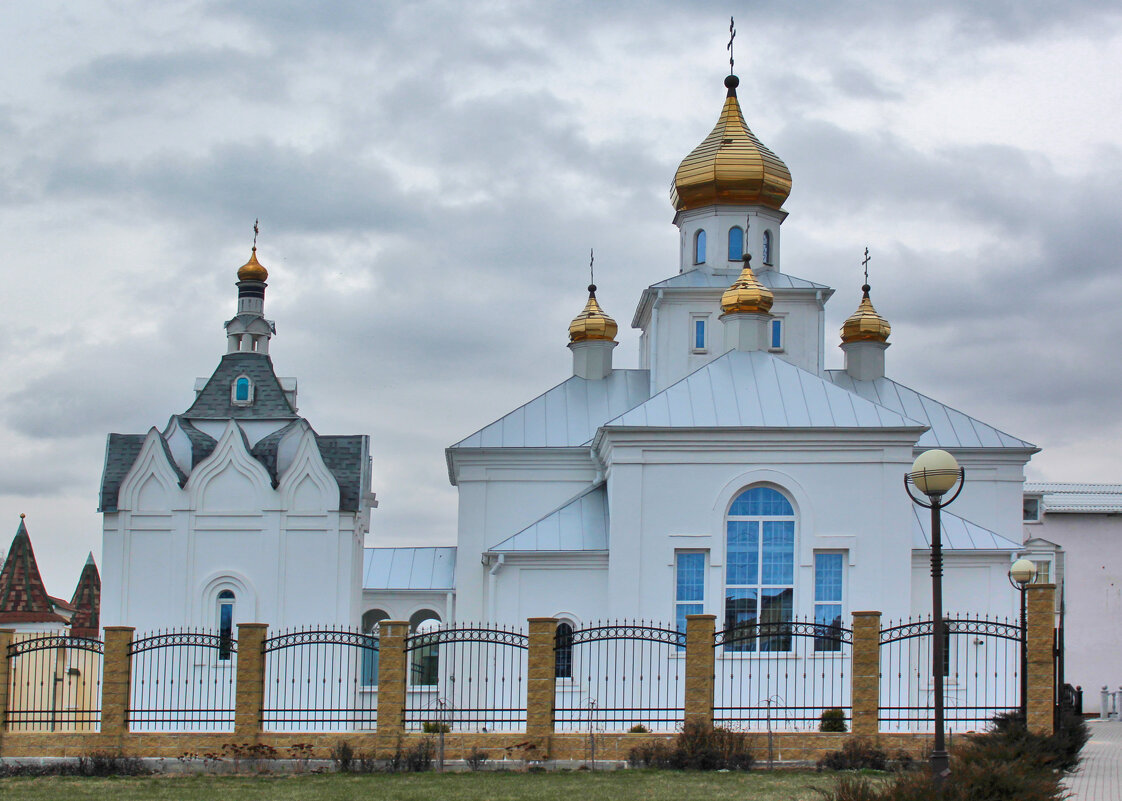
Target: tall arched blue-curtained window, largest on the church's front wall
x: 760, y: 567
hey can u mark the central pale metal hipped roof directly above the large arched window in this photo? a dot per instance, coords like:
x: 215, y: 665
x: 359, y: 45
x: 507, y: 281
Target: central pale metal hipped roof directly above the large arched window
x: 759, y: 390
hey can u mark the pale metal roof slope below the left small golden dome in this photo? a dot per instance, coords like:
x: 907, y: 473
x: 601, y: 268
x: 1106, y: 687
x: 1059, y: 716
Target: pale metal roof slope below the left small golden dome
x: 567, y: 416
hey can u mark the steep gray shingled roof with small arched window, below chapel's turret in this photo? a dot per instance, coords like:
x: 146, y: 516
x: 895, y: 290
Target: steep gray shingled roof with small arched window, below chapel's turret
x: 270, y: 401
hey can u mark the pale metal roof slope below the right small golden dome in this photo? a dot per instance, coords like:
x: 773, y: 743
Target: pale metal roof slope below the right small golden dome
x: 949, y: 427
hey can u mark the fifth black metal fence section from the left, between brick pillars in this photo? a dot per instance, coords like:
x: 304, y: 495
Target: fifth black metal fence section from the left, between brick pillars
x: 620, y: 676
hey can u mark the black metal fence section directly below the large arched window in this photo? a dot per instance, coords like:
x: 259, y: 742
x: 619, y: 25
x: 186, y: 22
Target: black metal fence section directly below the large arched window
x: 783, y: 676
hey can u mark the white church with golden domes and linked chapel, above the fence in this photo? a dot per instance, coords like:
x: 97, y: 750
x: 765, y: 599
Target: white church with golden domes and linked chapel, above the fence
x: 729, y: 473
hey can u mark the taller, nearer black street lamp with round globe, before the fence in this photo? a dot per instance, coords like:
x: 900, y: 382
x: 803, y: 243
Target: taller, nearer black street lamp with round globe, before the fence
x: 935, y: 474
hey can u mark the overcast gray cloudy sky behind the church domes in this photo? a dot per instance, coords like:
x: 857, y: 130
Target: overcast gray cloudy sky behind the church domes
x: 430, y: 178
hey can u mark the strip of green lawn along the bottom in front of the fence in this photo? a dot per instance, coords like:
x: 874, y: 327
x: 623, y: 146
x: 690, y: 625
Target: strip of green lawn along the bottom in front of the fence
x: 620, y: 786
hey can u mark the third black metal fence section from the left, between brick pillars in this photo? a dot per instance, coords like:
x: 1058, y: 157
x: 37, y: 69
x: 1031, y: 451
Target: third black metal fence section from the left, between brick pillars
x: 321, y: 680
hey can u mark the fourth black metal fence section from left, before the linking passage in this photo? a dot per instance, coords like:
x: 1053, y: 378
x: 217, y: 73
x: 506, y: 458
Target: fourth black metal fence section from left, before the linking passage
x: 467, y: 678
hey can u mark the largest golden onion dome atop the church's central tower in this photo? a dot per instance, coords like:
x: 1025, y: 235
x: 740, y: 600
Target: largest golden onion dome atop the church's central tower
x: 731, y: 167
